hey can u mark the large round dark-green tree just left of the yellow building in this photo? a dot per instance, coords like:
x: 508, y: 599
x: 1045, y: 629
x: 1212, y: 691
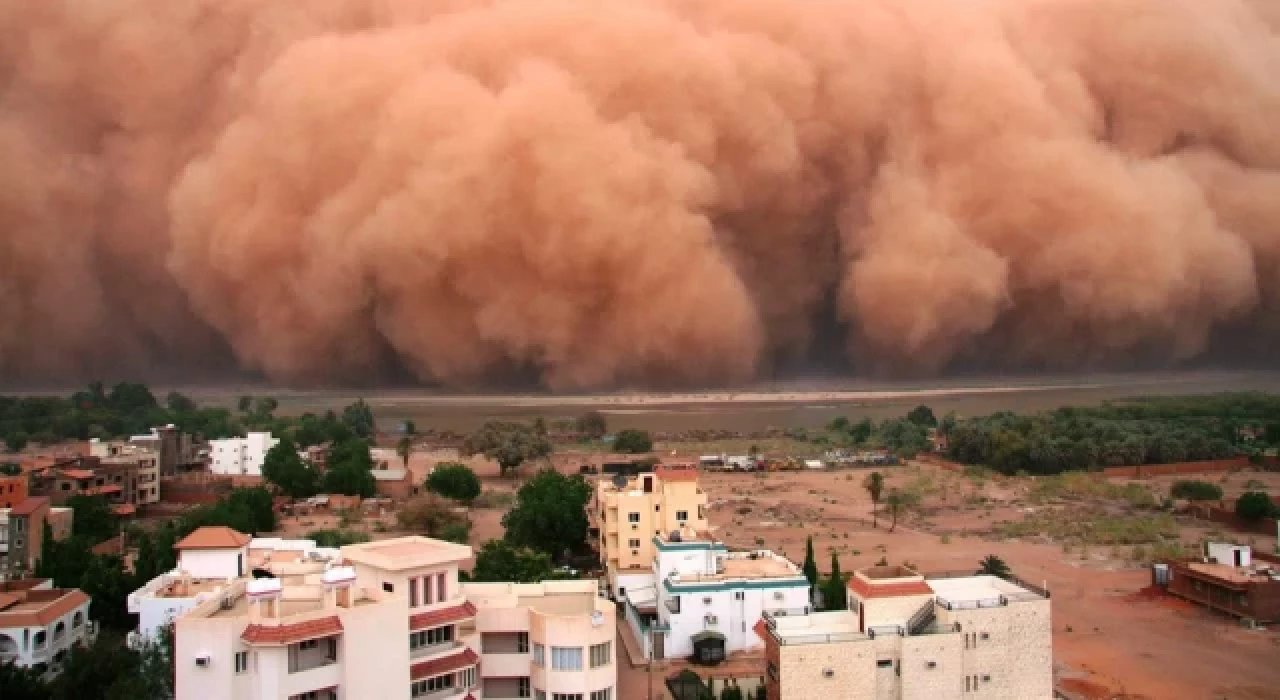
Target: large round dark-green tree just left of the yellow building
x: 550, y: 514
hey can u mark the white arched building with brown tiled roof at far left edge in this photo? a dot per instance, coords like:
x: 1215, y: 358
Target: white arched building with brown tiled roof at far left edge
x: 40, y: 624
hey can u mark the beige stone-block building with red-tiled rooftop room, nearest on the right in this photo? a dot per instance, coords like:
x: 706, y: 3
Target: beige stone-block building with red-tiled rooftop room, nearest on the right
x: 915, y: 639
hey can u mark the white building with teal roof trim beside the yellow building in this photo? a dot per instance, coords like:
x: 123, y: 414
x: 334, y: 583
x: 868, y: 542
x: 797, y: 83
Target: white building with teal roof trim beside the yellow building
x: 707, y: 600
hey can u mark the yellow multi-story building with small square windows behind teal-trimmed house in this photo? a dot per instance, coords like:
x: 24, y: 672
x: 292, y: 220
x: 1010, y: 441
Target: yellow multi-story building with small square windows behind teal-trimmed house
x: 629, y: 513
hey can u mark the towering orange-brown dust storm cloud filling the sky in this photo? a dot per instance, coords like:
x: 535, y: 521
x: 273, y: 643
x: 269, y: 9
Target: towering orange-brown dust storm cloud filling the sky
x: 633, y: 191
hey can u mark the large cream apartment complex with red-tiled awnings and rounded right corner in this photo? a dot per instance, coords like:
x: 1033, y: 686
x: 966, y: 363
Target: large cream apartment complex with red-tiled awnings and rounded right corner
x: 390, y: 621
